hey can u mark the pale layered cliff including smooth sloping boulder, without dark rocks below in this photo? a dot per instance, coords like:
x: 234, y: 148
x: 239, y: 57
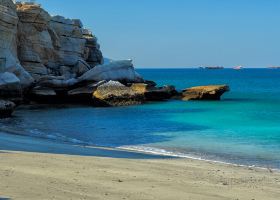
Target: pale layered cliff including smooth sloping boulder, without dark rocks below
x: 40, y: 52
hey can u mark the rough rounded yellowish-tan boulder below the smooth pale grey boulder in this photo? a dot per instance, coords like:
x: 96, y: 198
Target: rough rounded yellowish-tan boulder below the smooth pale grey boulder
x: 114, y: 93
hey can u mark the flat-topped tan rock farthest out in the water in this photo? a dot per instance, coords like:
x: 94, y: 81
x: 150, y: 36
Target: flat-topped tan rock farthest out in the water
x: 210, y: 92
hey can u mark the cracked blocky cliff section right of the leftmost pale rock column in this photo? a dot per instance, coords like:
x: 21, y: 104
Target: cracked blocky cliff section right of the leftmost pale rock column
x: 46, y: 43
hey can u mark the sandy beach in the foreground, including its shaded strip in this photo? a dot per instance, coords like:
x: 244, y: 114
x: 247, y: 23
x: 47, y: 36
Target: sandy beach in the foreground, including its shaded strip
x: 26, y: 173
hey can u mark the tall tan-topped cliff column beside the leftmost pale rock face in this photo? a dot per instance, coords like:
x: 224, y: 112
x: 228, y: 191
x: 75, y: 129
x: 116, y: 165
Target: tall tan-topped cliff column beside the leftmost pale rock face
x: 35, y: 47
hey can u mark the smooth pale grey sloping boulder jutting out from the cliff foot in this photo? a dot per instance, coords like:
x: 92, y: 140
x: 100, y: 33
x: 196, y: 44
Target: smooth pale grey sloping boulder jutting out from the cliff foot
x: 122, y: 70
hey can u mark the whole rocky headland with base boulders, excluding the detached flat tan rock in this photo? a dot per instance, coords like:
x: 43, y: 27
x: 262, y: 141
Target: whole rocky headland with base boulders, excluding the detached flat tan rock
x: 46, y: 58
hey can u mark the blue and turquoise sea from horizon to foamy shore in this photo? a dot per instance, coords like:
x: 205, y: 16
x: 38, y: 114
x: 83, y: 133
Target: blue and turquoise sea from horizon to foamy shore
x: 243, y: 128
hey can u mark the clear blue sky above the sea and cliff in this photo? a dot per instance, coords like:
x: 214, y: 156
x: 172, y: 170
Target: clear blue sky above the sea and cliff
x: 181, y: 33
